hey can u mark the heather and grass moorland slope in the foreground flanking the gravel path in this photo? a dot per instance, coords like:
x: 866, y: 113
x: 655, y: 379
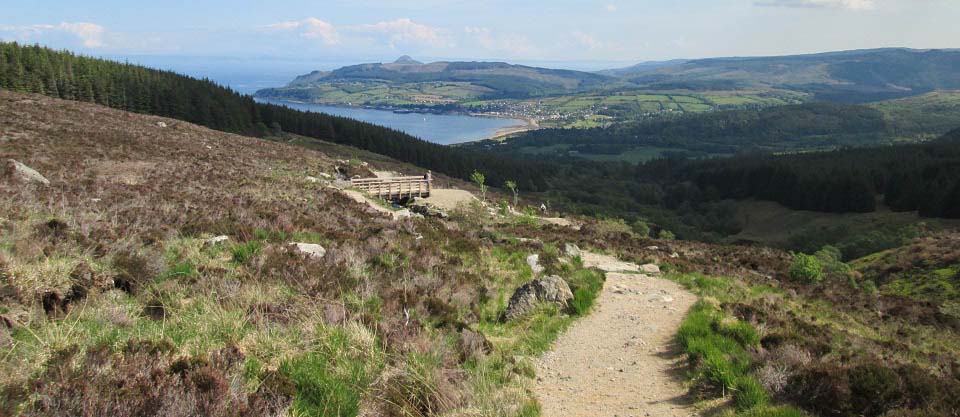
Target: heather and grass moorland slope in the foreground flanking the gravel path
x: 116, y: 299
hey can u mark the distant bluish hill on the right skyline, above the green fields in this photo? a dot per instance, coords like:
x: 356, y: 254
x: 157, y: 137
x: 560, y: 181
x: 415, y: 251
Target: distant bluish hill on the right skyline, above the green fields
x: 846, y: 76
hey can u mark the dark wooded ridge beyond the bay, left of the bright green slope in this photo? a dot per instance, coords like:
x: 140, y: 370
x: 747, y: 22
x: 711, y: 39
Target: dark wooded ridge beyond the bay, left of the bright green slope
x: 774, y: 129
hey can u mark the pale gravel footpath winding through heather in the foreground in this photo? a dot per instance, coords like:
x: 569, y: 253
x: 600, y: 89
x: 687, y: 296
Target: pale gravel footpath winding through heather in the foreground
x: 620, y: 360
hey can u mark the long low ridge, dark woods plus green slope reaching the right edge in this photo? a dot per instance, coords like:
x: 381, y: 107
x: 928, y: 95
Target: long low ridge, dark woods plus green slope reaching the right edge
x: 775, y: 129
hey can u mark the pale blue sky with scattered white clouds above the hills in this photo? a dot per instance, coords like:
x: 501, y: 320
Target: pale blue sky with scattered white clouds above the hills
x: 568, y: 33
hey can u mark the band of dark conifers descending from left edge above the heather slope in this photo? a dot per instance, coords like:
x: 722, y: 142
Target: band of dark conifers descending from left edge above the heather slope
x: 139, y: 89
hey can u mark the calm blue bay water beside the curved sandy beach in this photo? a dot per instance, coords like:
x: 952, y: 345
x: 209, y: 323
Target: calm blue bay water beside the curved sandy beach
x: 444, y: 129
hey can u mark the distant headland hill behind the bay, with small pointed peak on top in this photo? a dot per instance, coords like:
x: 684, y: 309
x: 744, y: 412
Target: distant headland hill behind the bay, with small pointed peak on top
x: 408, y: 82
